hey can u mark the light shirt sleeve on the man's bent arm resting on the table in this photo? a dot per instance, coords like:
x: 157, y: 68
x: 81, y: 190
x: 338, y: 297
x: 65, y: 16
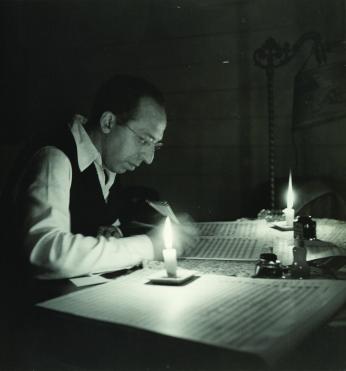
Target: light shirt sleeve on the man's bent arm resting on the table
x: 49, y: 244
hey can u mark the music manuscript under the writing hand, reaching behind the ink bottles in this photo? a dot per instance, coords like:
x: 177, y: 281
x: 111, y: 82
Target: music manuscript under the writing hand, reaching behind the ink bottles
x: 247, y: 239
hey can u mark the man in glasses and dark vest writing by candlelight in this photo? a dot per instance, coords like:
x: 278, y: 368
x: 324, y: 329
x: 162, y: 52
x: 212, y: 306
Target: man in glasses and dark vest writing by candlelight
x: 68, y: 188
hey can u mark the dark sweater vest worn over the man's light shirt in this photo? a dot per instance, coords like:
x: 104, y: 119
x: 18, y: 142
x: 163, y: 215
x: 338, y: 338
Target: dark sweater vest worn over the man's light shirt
x: 88, y: 209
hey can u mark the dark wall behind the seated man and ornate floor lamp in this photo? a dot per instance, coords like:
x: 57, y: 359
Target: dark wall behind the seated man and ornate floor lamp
x: 55, y: 54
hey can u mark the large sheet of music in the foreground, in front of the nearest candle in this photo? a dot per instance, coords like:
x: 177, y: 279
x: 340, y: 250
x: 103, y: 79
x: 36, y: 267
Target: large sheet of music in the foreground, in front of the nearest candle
x: 215, y: 310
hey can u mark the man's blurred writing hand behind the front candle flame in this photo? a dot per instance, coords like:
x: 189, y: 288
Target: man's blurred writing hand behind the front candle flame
x: 184, y: 237
